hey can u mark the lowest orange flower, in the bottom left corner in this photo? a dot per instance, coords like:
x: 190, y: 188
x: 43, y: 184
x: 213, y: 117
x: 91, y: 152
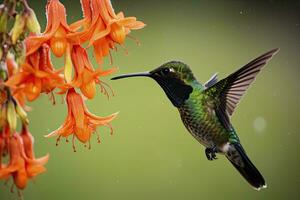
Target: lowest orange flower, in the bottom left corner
x: 20, y: 167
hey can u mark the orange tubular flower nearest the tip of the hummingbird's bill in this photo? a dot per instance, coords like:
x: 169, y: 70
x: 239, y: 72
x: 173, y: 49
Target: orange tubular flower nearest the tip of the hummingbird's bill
x: 85, y: 77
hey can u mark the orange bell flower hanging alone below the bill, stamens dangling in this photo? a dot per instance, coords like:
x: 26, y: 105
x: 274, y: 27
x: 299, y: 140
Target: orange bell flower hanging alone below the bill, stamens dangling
x: 79, y: 122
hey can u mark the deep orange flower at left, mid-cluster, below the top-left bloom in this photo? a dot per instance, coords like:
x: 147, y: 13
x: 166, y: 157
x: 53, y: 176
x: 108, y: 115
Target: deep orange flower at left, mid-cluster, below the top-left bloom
x: 36, y: 76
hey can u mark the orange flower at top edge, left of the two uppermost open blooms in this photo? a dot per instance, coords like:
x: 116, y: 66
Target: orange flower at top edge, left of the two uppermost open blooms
x: 55, y: 32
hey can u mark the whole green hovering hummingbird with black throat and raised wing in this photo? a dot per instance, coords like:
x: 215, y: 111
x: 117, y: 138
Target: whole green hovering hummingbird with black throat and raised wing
x: 205, y: 109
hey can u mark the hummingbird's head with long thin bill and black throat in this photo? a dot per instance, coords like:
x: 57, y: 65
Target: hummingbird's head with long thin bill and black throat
x: 174, y: 77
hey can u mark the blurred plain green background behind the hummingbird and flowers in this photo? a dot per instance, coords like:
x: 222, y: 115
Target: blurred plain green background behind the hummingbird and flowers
x: 151, y: 155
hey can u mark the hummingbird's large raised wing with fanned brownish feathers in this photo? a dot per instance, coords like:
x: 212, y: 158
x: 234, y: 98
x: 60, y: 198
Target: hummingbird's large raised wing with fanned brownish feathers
x: 228, y: 92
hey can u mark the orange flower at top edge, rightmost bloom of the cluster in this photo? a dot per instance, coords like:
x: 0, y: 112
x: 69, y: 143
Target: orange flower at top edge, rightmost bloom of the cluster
x: 105, y: 27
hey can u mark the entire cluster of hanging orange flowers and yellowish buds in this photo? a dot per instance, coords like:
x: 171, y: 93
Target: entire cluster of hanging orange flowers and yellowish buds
x: 27, y: 72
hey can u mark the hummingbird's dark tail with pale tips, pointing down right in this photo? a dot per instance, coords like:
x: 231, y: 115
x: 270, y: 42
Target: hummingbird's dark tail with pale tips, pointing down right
x: 237, y: 156
